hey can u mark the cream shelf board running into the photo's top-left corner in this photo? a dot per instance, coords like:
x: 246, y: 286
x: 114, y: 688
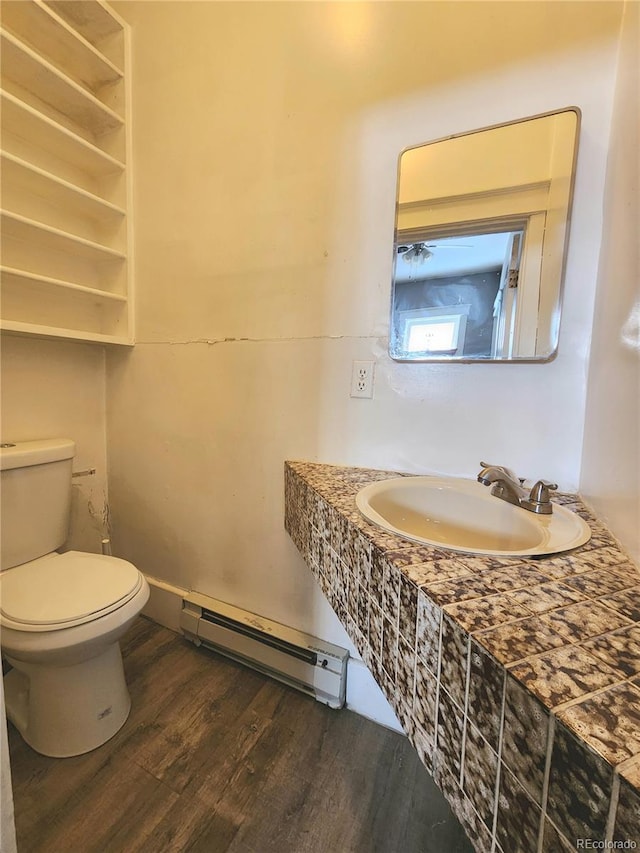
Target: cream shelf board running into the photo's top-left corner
x: 49, y: 35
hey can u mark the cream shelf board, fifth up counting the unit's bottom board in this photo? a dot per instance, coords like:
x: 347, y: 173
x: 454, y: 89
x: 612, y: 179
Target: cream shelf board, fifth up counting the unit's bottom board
x: 29, y: 124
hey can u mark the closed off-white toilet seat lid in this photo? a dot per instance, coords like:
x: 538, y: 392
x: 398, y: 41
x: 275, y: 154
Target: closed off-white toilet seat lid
x: 63, y: 590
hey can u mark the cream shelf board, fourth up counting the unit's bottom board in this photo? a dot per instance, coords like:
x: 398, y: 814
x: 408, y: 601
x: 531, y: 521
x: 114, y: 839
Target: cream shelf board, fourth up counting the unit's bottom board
x: 57, y: 191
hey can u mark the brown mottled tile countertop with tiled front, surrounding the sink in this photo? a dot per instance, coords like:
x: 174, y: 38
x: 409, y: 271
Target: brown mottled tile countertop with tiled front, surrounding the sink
x: 565, y: 628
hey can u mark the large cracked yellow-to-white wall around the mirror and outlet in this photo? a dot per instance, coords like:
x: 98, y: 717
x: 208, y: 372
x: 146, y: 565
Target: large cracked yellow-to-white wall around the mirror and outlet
x: 266, y: 144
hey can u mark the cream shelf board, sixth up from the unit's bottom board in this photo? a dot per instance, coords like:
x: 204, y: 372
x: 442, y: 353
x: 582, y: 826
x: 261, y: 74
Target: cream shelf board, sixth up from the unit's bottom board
x: 33, y: 73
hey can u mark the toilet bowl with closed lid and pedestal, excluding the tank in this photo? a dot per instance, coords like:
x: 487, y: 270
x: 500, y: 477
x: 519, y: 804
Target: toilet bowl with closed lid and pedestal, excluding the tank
x: 61, y: 619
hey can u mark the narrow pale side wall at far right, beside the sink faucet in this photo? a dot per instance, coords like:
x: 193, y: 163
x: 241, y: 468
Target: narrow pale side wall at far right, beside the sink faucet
x: 610, y: 478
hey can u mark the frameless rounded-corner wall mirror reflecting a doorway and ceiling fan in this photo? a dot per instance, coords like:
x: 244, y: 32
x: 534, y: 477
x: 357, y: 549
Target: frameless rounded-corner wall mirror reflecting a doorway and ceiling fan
x: 482, y: 220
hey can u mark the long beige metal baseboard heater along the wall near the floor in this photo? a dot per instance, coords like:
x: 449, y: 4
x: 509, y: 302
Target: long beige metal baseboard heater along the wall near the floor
x: 293, y: 657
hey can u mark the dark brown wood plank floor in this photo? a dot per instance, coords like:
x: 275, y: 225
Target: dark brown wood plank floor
x: 215, y: 757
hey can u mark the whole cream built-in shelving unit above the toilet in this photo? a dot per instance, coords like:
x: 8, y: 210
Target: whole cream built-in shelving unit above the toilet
x: 66, y: 264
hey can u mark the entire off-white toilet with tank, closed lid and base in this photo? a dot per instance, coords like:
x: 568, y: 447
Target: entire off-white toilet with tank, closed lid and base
x: 61, y: 614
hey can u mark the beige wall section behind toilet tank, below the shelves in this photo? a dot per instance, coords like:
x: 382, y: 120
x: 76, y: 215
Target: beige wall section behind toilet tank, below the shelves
x: 54, y: 389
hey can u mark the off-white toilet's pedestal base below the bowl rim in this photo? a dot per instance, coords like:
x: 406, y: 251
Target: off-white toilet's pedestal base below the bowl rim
x: 62, y: 711
